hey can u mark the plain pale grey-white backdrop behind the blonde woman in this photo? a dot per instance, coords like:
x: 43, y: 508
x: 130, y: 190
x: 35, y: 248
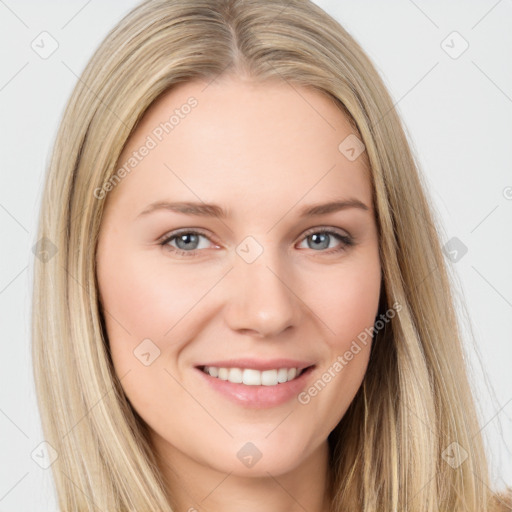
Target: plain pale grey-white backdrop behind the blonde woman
x: 448, y: 67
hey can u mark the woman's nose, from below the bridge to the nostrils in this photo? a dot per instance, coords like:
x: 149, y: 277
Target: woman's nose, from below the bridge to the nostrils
x: 261, y: 300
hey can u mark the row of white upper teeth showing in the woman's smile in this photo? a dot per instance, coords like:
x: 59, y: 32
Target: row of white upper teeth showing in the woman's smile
x: 251, y: 377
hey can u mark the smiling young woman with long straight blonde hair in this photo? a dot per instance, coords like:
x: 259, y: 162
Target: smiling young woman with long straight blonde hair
x: 251, y: 371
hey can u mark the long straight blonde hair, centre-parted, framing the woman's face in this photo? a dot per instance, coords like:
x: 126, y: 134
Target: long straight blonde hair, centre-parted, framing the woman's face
x: 387, y: 452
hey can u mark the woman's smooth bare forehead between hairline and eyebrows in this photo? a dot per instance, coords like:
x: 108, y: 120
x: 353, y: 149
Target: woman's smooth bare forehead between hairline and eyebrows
x: 233, y: 138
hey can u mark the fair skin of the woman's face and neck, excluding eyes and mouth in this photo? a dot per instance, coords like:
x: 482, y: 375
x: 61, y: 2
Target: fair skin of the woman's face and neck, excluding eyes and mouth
x: 263, y: 152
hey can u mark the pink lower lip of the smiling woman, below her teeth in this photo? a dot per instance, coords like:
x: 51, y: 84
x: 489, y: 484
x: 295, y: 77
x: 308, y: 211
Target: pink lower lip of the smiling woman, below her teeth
x: 258, y: 397
